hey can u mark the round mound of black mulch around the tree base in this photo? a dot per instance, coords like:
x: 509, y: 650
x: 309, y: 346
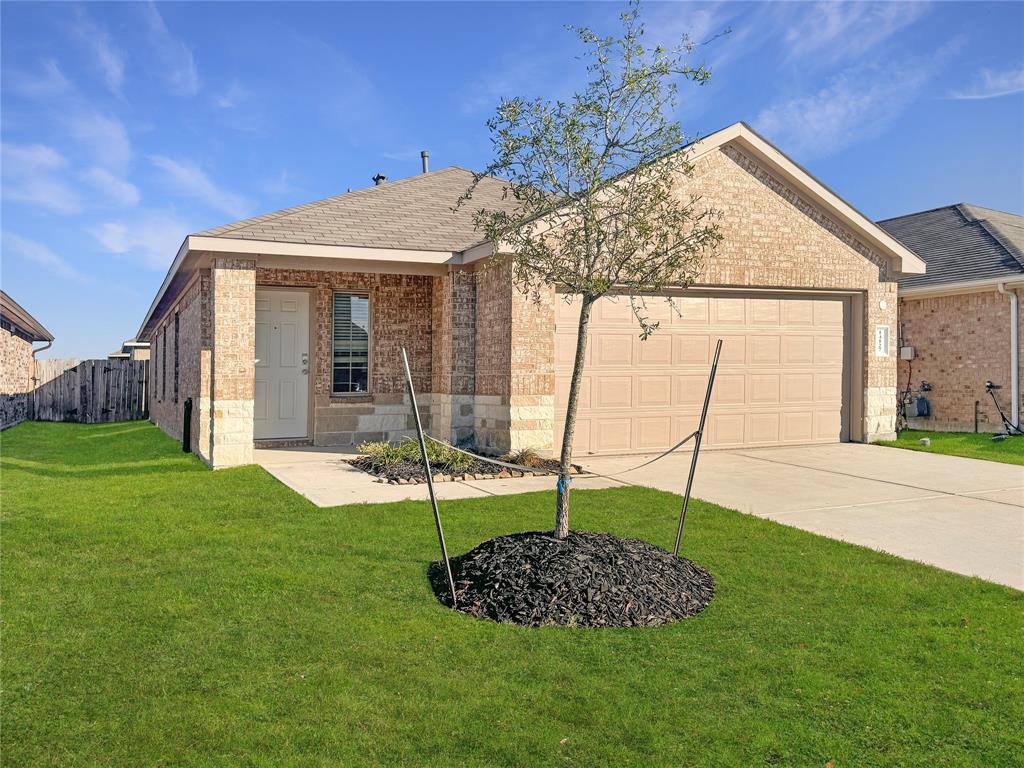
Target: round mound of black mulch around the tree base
x: 586, y: 580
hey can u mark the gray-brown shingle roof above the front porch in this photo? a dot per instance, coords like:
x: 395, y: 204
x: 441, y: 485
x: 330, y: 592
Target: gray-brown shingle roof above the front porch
x: 414, y: 214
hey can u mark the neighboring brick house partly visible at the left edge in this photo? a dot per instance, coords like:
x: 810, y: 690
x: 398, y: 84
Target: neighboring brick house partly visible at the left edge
x: 19, y: 331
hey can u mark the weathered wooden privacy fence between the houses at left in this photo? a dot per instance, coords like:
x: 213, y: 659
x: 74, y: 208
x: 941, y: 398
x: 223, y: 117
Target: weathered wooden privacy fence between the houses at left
x: 91, y: 392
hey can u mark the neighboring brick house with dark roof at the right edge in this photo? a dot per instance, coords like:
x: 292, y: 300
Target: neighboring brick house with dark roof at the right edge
x: 962, y: 318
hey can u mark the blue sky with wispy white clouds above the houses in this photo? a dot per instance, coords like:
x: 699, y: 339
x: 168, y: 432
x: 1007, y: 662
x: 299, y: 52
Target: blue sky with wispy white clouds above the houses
x: 126, y: 126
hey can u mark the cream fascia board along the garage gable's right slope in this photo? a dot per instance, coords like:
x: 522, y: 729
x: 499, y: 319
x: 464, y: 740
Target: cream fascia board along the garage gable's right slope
x: 904, y: 260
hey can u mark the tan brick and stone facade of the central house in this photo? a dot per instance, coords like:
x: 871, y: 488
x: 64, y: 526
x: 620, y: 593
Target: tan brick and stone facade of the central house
x: 483, y: 353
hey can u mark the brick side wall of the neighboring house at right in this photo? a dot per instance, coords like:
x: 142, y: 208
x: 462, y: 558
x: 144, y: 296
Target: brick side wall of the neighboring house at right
x: 960, y: 343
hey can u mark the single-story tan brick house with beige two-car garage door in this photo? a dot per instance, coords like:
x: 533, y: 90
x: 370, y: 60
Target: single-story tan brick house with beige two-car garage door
x: 289, y: 326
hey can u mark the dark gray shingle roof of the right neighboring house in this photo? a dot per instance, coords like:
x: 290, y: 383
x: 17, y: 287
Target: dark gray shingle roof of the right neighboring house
x: 961, y: 243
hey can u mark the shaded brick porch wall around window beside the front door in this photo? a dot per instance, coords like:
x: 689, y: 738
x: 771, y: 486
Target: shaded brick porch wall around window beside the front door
x: 401, y: 316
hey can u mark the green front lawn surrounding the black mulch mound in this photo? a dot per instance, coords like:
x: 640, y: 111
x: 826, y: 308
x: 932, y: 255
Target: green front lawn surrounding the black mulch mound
x: 158, y: 614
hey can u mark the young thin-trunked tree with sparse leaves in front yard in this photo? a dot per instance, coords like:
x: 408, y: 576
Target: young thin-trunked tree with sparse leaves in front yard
x: 595, y: 182
